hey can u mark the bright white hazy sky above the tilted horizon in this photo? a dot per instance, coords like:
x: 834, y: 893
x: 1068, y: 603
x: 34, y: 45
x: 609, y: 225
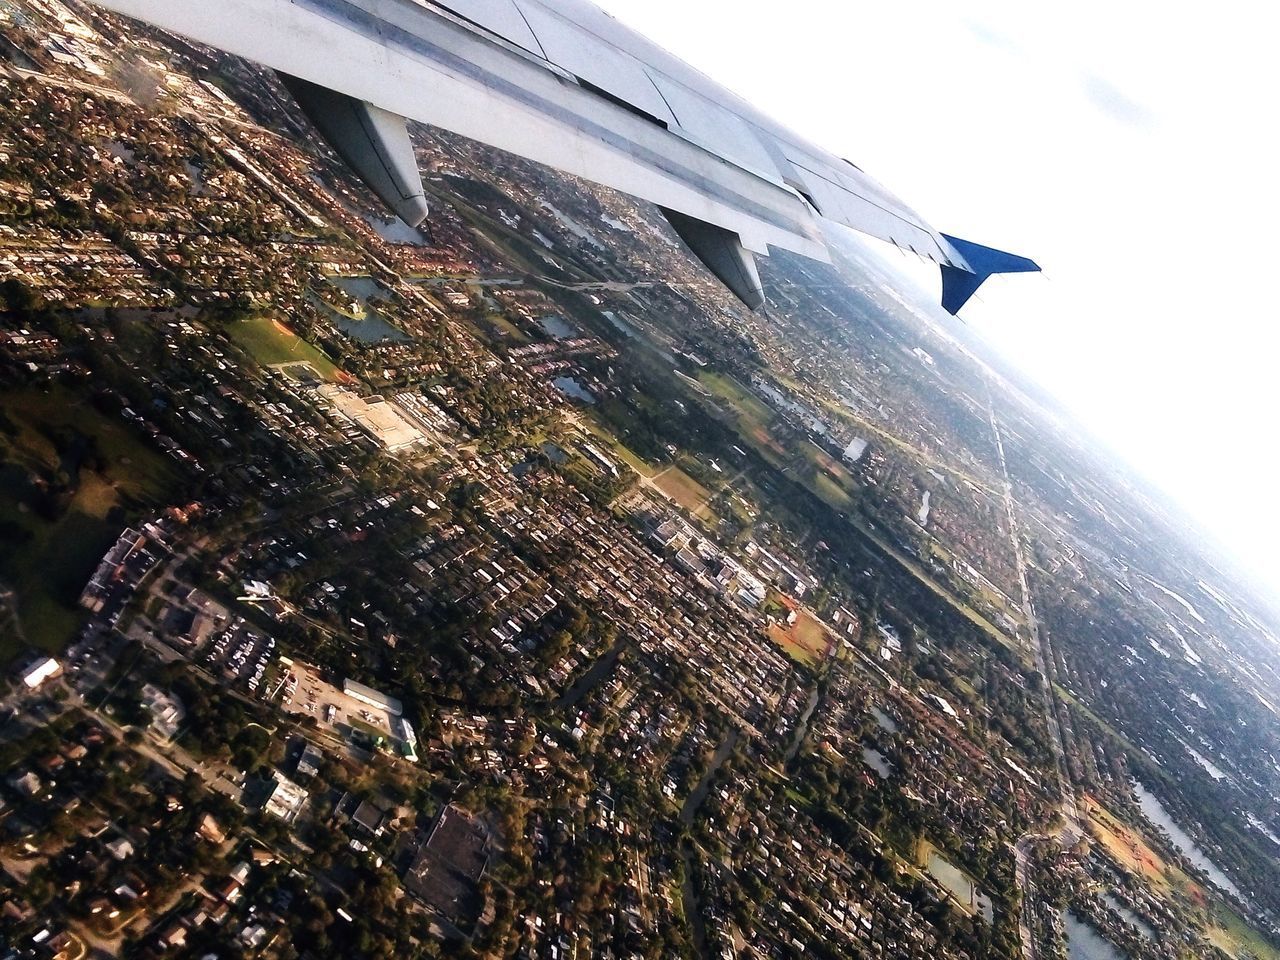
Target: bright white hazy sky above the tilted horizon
x: 1132, y: 149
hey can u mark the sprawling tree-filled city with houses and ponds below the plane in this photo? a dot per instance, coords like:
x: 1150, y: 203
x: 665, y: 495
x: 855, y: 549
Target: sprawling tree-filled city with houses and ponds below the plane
x: 505, y: 588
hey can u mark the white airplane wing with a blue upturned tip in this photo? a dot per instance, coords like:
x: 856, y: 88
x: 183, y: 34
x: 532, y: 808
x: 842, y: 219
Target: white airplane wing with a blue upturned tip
x: 563, y: 84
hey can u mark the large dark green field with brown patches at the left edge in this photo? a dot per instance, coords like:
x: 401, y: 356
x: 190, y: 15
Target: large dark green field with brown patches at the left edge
x: 52, y: 543
